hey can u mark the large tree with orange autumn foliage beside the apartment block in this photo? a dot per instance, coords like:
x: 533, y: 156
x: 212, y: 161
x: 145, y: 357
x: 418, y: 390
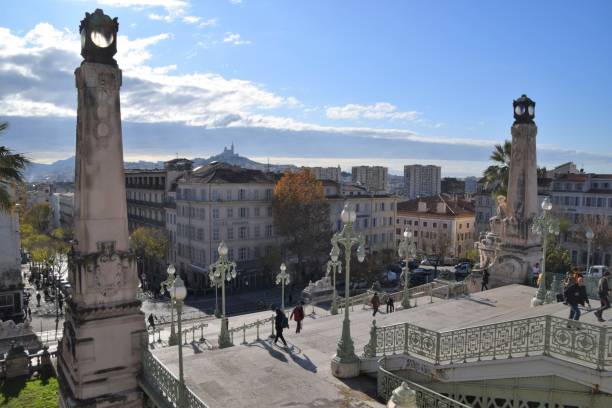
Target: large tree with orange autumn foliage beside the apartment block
x: 301, y: 217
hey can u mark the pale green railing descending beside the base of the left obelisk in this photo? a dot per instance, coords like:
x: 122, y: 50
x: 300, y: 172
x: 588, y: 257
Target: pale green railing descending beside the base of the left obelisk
x: 166, y: 386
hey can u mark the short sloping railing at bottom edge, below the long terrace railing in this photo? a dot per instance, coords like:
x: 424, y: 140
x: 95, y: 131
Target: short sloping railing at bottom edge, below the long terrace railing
x: 425, y: 397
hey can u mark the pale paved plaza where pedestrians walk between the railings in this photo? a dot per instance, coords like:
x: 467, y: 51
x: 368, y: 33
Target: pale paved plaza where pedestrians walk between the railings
x: 260, y: 373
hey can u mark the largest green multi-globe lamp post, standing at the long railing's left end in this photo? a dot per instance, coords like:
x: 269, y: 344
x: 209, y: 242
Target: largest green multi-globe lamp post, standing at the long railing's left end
x: 345, y: 364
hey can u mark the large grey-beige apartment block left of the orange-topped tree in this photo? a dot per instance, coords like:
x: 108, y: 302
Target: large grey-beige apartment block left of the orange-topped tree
x: 220, y: 202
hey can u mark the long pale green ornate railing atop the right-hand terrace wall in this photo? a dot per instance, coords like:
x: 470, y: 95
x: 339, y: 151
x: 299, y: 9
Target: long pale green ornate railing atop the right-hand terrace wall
x: 583, y: 343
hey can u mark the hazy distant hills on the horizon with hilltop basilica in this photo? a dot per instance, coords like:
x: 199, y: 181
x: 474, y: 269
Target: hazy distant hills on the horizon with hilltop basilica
x: 63, y: 170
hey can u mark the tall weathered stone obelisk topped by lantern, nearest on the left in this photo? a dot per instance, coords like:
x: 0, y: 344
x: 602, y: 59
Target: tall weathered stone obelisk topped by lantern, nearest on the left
x: 100, y: 351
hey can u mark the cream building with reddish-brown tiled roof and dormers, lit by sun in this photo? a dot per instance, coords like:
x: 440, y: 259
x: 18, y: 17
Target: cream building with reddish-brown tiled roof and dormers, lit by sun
x: 441, y: 225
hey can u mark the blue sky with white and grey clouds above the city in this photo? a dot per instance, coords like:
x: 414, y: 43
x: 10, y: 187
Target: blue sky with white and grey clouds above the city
x: 321, y: 82
